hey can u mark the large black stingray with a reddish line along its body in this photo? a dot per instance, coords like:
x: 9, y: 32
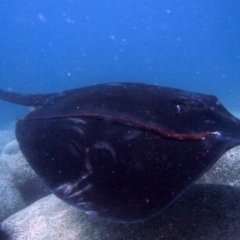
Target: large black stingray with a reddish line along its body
x: 123, y: 151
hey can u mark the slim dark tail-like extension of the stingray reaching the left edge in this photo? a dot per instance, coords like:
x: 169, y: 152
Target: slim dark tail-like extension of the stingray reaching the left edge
x: 26, y: 99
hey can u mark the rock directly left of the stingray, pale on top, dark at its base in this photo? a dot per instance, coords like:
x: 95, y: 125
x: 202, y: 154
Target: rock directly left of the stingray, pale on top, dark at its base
x: 24, y: 178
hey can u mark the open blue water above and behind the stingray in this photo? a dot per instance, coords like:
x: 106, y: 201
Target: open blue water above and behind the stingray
x: 49, y: 46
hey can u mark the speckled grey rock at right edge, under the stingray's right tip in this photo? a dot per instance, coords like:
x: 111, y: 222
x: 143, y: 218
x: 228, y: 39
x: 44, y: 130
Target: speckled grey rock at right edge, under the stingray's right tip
x: 226, y: 170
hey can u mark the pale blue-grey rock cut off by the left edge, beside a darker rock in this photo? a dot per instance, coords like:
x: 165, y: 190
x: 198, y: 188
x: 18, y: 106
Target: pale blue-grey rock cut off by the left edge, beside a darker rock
x: 11, y: 200
